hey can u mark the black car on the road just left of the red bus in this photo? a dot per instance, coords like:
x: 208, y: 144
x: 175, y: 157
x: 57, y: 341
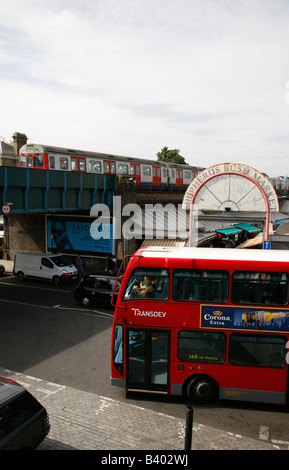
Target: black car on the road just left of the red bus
x: 96, y: 289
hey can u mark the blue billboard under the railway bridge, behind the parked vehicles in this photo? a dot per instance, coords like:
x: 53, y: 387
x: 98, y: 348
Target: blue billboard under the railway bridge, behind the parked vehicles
x: 75, y: 235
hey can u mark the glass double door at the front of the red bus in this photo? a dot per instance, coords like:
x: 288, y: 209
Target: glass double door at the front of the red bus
x: 147, y: 365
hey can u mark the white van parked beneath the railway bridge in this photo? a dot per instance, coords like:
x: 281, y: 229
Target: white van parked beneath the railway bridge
x: 55, y: 268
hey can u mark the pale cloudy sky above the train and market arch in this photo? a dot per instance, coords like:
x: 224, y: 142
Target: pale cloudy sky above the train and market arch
x: 128, y: 77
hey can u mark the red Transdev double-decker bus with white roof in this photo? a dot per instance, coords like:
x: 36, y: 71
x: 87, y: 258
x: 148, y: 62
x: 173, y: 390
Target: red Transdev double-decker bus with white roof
x: 208, y: 323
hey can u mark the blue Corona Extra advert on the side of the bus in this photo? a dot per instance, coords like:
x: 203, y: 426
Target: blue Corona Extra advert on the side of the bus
x: 244, y: 318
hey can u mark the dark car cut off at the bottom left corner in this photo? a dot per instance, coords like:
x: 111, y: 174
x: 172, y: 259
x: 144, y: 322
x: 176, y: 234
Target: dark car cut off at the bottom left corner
x: 24, y: 422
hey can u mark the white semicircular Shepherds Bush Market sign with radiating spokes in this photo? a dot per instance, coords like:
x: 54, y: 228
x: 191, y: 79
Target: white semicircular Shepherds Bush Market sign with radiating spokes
x: 231, y: 185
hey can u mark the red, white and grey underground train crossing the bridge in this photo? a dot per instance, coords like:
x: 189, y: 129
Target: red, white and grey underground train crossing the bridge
x: 143, y: 171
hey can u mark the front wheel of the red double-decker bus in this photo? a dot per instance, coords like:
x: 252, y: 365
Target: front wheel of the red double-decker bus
x: 202, y: 389
